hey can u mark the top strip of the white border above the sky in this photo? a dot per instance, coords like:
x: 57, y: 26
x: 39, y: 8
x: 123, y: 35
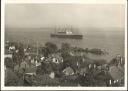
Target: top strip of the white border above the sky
x: 68, y: 1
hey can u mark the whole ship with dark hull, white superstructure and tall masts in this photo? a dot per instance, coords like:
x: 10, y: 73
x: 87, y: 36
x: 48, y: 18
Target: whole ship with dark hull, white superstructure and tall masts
x: 66, y: 33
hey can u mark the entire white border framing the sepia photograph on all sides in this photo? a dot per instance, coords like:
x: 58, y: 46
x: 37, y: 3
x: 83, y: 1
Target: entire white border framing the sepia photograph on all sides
x: 60, y: 1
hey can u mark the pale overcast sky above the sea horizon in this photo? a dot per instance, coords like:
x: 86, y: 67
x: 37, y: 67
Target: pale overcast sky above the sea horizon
x: 51, y: 15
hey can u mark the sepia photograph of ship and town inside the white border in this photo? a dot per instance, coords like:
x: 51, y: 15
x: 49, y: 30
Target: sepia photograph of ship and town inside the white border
x: 64, y: 45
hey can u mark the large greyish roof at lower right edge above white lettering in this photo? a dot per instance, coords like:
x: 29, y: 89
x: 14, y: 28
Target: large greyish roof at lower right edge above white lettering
x: 116, y: 73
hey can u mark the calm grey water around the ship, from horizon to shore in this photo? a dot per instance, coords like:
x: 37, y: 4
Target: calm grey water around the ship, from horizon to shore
x: 111, y: 40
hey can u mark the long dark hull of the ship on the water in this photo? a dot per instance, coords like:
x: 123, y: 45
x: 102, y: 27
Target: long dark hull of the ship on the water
x: 73, y: 36
